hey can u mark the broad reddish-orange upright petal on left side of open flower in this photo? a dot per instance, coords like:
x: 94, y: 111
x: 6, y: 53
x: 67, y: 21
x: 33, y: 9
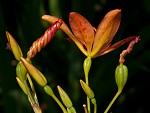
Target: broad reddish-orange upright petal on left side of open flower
x: 82, y: 29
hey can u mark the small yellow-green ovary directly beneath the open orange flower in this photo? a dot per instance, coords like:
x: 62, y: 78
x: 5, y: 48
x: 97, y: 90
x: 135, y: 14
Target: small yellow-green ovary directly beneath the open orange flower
x: 87, y: 65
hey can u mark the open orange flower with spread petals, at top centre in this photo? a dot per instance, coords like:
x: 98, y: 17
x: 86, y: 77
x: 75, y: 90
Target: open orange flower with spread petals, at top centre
x: 92, y: 42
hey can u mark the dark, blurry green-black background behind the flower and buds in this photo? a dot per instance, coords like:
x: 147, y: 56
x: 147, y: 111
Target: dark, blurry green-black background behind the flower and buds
x: 61, y: 61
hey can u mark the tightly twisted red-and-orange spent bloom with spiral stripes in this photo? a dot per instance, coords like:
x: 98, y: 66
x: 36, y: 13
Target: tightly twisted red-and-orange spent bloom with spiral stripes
x: 44, y: 40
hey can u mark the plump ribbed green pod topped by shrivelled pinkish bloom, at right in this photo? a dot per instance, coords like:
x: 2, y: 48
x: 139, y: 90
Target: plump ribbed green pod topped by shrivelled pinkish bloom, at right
x: 121, y: 75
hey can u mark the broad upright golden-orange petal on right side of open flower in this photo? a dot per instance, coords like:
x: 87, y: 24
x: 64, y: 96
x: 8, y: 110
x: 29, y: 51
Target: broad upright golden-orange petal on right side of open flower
x: 106, y: 30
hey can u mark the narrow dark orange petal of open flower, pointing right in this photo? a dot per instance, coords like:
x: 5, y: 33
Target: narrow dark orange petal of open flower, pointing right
x: 115, y: 46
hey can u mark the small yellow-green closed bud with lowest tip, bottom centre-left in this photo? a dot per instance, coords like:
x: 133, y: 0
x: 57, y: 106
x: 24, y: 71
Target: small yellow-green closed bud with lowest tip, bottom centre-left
x: 64, y: 97
